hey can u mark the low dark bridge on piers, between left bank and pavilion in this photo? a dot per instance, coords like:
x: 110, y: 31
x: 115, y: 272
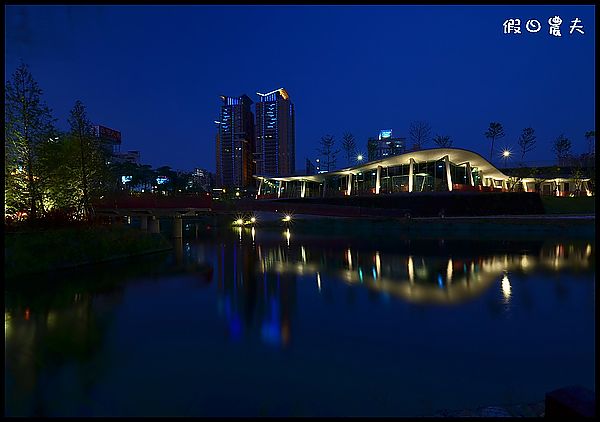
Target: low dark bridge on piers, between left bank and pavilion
x: 150, y: 207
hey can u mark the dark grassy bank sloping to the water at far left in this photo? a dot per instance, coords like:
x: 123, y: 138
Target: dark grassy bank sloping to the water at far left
x: 48, y: 250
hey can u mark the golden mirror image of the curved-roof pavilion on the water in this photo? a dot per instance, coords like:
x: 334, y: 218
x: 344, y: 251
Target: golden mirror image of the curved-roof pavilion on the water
x: 422, y: 278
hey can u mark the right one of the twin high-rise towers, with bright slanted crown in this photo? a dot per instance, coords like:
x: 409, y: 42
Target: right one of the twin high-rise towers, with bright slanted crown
x: 275, y: 134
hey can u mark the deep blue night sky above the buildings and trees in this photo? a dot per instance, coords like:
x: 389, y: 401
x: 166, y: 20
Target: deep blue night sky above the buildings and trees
x: 156, y: 72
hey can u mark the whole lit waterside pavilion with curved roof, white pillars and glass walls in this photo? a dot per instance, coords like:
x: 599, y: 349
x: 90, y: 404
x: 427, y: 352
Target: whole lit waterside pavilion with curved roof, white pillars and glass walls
x: 428, y: 170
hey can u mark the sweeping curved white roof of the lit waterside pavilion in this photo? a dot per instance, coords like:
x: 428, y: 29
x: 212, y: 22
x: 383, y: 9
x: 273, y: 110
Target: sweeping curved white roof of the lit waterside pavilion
x: 457, y: 156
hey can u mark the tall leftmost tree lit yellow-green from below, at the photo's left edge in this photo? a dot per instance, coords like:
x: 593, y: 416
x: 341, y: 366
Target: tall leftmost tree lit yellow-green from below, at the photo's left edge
x: 28, y: 123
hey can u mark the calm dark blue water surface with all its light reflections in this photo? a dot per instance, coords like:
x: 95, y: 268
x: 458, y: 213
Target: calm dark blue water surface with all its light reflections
x: 271, y: 322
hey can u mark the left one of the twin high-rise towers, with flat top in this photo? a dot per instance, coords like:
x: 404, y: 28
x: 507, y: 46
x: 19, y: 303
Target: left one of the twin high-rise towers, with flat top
x: 235, y: 143
